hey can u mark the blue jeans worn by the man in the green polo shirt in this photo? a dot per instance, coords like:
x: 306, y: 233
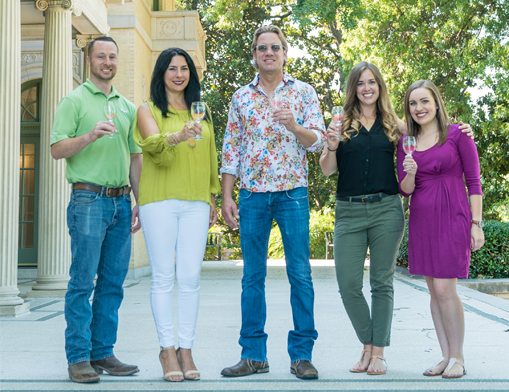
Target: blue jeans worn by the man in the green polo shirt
x: 99, y: 227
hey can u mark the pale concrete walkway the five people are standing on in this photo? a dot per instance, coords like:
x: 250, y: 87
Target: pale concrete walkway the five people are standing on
x: 33, y: 359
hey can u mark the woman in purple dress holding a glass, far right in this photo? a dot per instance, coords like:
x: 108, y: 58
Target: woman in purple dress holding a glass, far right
x: 443, y: 227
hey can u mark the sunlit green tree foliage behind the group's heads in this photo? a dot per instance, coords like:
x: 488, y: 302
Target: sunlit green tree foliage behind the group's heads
x: 462, y: 46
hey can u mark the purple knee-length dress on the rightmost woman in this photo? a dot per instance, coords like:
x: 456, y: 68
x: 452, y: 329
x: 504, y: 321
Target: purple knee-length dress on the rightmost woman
x: 440, y: 218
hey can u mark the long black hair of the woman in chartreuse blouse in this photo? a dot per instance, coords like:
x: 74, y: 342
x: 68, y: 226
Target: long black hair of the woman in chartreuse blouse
x: 157, y: 86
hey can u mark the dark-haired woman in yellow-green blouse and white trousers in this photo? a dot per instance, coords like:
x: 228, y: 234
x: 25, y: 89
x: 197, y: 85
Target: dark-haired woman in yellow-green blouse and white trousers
x: 177, y: 204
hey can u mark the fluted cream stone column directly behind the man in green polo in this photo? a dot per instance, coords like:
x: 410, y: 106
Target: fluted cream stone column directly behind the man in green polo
x: 54, y: 254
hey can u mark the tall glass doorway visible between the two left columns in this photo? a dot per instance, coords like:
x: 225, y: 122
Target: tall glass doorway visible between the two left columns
x: 29, y: 172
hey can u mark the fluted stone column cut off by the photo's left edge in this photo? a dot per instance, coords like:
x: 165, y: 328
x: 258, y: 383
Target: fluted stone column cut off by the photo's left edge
x: 10, y: 98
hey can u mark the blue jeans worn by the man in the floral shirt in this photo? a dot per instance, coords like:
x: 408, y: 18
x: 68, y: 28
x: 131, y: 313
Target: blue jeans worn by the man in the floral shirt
x: 257, y: 211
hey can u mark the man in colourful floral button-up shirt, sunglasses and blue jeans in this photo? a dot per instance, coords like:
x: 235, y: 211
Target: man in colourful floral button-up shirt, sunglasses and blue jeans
x: 266, y: 148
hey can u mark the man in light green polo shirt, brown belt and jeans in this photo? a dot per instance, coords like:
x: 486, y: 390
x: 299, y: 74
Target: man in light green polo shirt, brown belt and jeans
x: 102, y: 160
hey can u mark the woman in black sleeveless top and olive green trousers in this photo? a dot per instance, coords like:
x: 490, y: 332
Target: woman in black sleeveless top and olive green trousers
x: 368, y: 209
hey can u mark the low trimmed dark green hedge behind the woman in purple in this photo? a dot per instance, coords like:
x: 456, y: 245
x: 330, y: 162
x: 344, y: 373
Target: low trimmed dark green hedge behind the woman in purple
x: 491, y: 261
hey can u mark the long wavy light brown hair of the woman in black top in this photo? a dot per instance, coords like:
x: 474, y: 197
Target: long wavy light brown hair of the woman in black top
x: 352, y: 106
